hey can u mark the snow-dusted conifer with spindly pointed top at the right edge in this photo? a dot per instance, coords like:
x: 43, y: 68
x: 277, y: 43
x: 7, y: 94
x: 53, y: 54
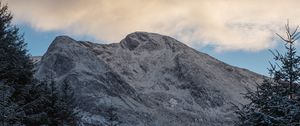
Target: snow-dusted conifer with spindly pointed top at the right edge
x: 276, y: 102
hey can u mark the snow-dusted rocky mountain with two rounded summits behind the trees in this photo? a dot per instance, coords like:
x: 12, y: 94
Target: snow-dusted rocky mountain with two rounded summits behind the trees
x: 152, y: 79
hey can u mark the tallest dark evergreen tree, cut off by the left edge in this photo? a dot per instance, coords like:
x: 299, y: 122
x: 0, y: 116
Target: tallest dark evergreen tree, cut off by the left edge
x: 15, y: 70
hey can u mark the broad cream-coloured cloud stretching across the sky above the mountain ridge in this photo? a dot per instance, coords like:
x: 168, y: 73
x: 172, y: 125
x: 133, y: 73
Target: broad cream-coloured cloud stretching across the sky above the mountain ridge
x: 247, y: 25
